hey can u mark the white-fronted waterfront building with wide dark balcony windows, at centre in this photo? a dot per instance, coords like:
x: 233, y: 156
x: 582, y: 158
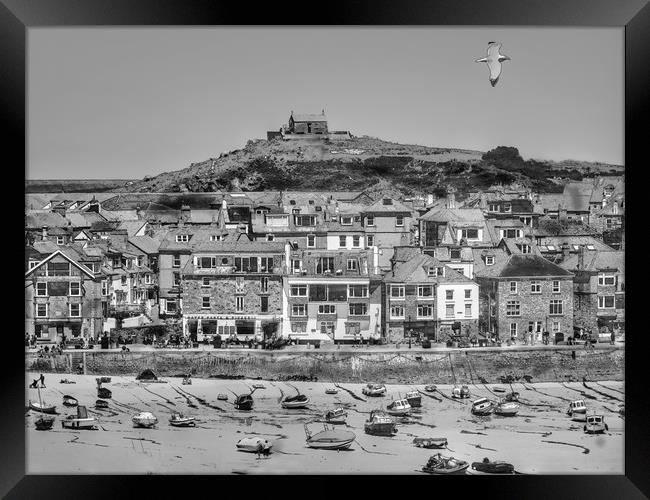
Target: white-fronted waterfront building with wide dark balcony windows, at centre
x: 332, y: 296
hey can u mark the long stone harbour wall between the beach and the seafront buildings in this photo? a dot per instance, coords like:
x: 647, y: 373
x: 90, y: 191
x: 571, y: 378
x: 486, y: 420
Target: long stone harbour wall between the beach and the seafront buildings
x: 399, y: 366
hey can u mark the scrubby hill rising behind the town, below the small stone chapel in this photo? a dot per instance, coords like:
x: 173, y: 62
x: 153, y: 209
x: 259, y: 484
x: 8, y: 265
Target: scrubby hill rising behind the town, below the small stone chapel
x: 365, y: 163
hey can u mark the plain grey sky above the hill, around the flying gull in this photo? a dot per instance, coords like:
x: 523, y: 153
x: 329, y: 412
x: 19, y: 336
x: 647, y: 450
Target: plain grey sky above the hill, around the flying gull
x: 121, y: 103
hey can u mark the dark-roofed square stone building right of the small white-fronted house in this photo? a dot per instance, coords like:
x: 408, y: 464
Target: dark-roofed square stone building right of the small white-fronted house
x: 521, y: 292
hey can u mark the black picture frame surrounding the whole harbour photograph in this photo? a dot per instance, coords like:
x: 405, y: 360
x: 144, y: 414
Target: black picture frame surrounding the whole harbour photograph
x: 16, y: 16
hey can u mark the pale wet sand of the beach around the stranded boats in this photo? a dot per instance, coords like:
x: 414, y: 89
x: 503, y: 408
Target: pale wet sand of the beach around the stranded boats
x: 541, y: 439
